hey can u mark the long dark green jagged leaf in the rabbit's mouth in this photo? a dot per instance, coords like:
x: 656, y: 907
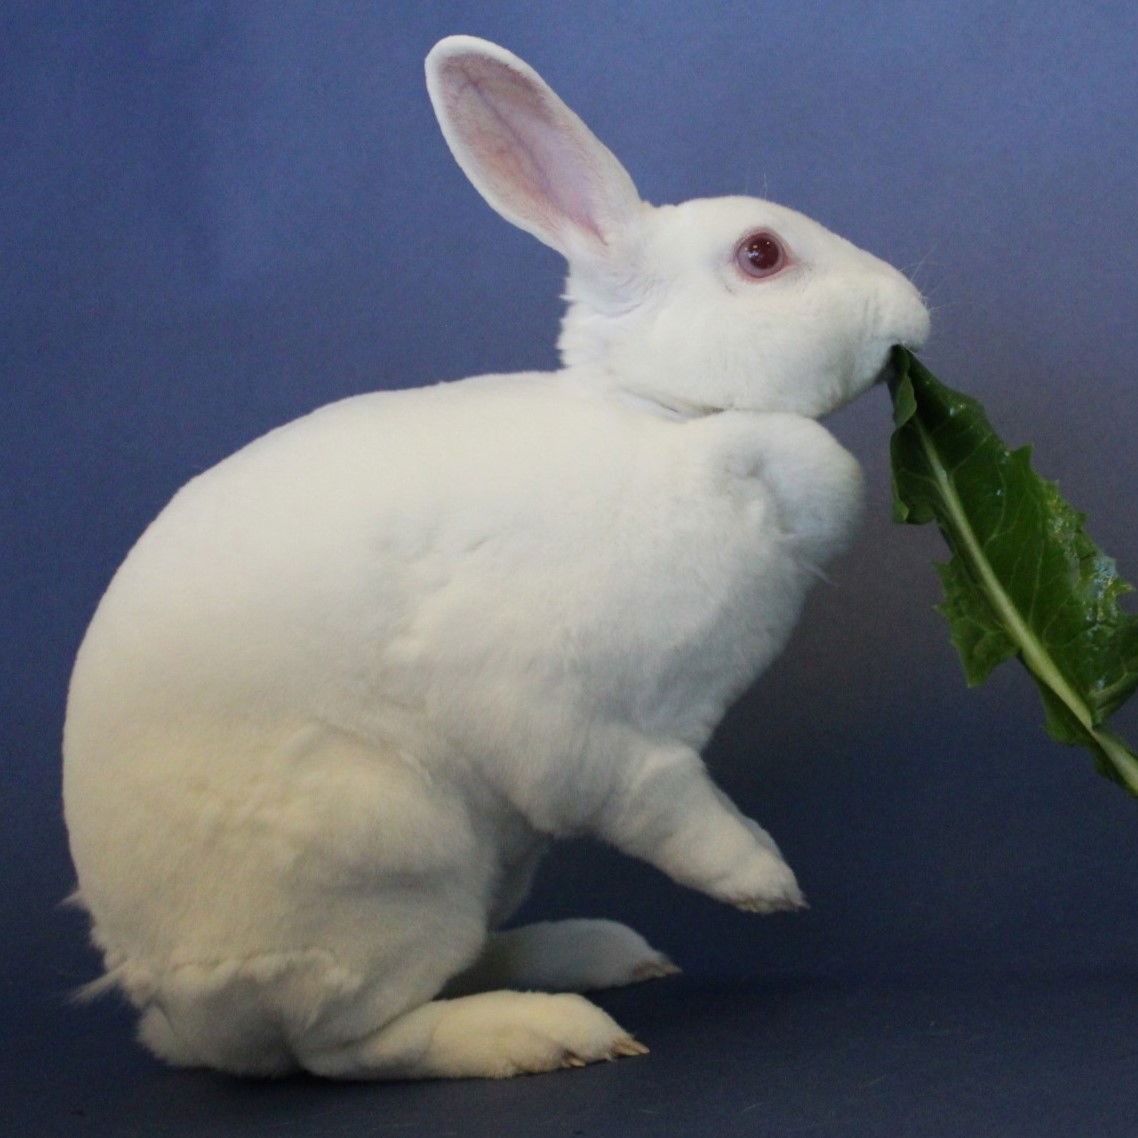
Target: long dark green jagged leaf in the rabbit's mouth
x: 1025, y: 580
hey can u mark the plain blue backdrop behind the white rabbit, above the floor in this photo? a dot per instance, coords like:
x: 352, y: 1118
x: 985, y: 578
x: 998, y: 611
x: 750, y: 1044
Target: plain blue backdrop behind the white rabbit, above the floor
x: 217, y: 217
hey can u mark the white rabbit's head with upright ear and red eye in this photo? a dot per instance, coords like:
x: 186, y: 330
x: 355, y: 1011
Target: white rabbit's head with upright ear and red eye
x: 718, y: 303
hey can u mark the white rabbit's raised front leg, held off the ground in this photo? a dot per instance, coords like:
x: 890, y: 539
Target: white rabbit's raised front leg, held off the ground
x: 667, y: 812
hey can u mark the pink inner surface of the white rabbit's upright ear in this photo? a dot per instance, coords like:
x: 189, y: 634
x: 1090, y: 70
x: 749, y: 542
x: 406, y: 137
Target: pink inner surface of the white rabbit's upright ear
x: 525, y: 150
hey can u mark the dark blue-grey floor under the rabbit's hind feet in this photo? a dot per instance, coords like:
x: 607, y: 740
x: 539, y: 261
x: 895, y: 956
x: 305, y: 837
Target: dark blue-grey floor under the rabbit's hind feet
x: 1035, y: 1058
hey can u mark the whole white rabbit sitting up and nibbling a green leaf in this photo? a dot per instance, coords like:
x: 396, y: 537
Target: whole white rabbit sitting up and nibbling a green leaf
x: 353, y: 679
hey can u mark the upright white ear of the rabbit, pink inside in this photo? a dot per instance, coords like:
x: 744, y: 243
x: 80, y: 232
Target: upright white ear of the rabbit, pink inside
x: 529, y: 155
